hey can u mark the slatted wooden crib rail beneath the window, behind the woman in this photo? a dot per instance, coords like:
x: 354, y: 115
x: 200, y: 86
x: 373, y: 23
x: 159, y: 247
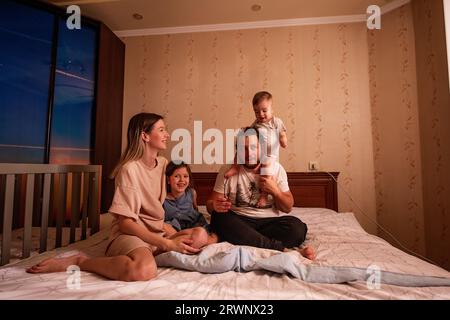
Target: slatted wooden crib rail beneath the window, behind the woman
x: 44, y: 189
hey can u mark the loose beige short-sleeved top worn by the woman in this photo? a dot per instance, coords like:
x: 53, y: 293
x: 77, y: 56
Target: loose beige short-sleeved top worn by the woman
x: 140, y: 193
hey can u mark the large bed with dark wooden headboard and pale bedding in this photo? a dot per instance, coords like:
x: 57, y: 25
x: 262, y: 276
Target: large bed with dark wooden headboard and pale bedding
x: 340, y: 242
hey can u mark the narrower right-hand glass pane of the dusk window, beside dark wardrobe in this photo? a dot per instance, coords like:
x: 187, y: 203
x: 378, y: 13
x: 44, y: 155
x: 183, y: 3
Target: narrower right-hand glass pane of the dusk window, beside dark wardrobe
x: 72, y: 135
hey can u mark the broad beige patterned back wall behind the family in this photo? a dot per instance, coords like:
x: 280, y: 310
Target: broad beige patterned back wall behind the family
x: 318, y: 76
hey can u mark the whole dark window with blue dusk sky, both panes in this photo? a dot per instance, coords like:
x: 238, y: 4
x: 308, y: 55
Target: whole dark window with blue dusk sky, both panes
x: 47, y: 86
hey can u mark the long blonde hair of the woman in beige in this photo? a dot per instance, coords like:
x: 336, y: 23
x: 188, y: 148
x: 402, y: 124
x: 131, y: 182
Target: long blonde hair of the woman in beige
x: 141, y: 122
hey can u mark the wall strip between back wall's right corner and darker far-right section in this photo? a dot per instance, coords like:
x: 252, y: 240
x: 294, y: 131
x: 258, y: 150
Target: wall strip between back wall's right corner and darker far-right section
x: 395, y: 125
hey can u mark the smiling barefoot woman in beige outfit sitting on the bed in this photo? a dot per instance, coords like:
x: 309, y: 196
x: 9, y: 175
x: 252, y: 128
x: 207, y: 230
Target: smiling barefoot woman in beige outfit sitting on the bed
x: 137, y: 233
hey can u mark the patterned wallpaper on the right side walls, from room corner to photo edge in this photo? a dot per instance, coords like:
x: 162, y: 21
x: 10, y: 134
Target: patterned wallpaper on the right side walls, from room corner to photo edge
x: 410, y: 112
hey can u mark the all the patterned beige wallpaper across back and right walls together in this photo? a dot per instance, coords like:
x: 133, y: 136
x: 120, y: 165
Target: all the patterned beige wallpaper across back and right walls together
x: 369, y: 104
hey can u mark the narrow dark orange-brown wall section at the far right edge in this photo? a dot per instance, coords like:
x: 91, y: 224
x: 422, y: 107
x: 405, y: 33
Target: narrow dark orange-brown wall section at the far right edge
x: 434, y: 113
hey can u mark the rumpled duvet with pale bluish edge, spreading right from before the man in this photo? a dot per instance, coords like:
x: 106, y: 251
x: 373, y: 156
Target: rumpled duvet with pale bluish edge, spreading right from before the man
x: 345, y: 253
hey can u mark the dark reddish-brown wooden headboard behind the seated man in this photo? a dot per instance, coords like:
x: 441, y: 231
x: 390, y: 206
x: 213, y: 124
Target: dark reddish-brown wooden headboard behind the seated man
x: 310, y: 189
